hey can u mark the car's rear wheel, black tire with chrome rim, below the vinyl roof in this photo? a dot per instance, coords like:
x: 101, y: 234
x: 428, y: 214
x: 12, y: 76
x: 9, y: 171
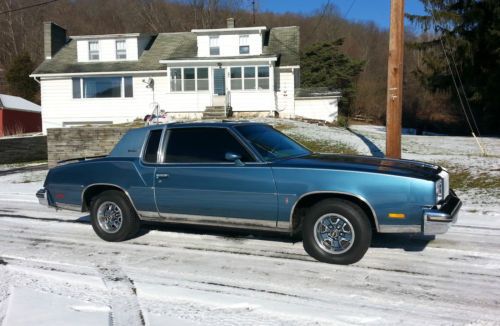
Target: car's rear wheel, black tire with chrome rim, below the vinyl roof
x: 111, y: 227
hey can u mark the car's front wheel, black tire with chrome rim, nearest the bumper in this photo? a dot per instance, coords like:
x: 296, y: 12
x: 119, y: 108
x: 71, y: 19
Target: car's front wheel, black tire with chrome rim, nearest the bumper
x: 336, y: 231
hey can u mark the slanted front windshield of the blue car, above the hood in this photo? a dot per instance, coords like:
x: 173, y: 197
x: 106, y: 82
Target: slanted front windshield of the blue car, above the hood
x: 270, y: 143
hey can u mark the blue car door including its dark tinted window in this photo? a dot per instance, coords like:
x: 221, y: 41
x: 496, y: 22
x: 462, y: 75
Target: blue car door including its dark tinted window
x: 196, y: 183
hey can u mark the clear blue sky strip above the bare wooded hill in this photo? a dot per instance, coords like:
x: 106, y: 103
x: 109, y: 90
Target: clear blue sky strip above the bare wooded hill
x: 377, y: 11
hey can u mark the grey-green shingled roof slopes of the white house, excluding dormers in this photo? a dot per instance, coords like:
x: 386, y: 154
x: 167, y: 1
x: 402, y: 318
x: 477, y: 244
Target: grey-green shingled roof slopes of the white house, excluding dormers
x: 280, y: 41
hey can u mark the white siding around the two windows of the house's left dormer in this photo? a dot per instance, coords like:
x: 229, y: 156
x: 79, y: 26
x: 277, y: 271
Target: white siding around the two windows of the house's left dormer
x: 107, y: 49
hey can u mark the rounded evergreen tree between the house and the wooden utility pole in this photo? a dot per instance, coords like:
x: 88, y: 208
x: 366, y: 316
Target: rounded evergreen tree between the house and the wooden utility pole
x: 324, y: 65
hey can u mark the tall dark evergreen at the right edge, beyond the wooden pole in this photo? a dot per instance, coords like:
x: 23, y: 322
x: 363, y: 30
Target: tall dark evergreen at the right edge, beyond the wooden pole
x: 469, y: 32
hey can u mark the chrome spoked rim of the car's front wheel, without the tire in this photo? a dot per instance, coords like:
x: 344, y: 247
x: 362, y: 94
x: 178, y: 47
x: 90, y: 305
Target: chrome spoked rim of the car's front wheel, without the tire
x: 334, y: 233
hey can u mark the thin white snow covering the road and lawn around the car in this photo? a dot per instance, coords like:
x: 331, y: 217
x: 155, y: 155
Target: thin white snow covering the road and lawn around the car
x: 55, y: 271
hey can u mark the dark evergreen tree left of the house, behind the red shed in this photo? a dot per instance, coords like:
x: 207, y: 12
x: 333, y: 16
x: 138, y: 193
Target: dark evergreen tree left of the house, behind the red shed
x: 18, y: 79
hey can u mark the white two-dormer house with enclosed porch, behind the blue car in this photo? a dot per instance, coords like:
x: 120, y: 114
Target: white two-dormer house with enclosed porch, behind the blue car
x: 103, y: 79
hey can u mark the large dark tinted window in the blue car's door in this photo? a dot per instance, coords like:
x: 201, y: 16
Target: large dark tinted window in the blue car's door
x: 202, y: 145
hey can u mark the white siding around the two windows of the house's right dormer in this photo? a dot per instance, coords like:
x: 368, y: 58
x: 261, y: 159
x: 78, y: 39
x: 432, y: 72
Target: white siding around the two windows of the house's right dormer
x: 229, y: 44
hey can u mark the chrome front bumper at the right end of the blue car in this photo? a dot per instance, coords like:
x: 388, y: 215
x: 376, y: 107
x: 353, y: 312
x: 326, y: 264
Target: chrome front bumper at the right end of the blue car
x: 438, y: 220
